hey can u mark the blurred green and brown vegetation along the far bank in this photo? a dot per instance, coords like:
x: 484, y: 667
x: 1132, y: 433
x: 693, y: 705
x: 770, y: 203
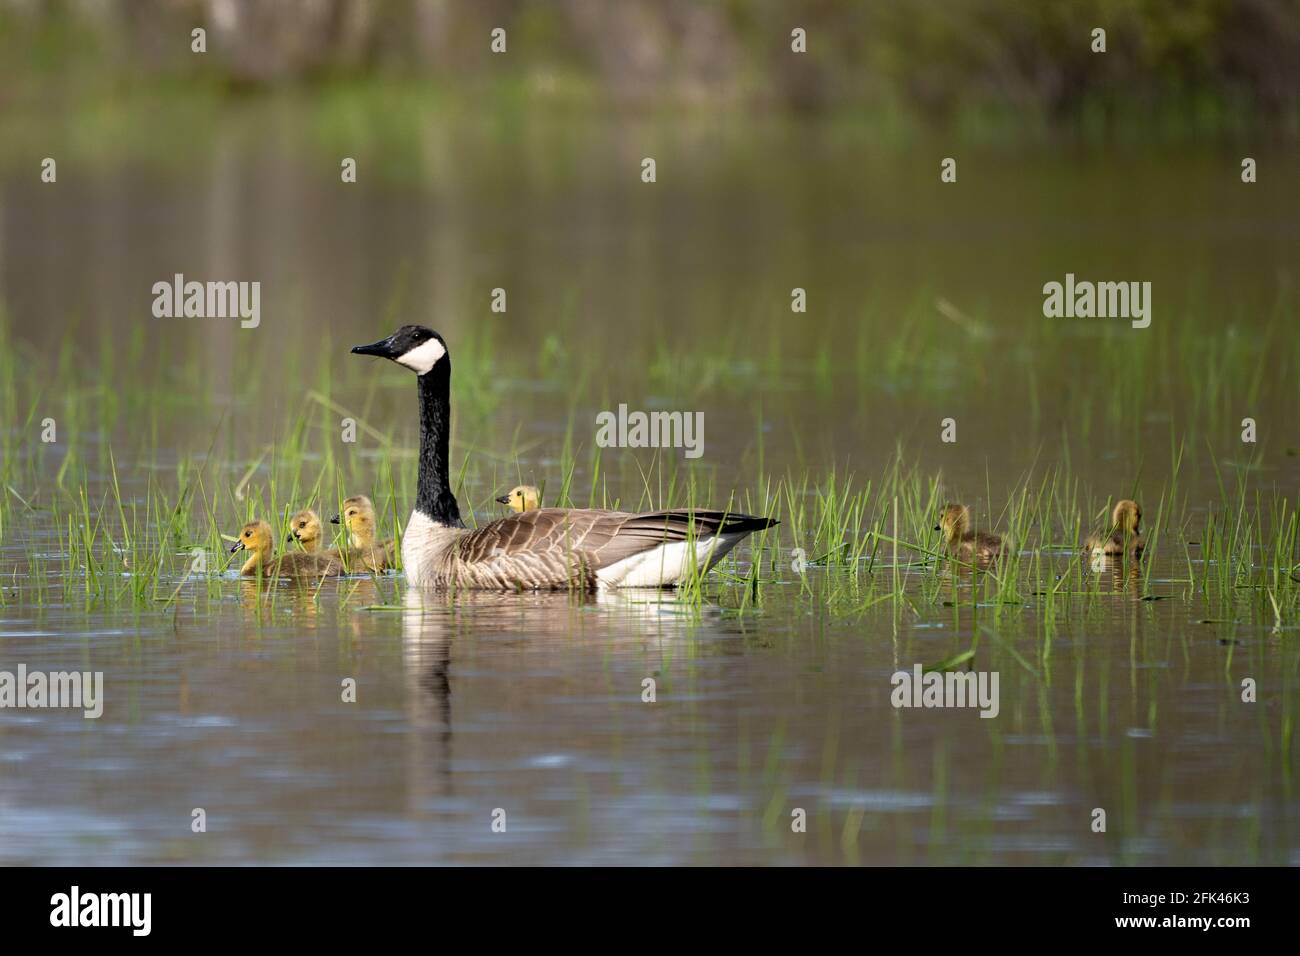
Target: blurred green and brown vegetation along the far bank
x: 1197, y: 66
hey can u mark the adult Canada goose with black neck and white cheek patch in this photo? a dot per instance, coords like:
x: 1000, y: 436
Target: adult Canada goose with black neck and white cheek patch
x: 543, y: 550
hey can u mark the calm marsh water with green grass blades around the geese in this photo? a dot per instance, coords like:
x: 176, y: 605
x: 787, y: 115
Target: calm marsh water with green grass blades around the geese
x: 925, y: 302
